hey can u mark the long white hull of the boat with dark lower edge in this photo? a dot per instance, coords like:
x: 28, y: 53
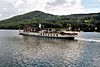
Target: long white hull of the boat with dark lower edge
x: 48, y: 35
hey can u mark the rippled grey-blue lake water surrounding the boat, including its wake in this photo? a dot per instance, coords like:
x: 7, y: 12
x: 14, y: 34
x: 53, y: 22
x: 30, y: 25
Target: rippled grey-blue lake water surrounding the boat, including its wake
x: 27, y: 51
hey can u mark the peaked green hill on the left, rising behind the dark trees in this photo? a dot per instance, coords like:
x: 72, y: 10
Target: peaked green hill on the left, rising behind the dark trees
x: 28, y: 18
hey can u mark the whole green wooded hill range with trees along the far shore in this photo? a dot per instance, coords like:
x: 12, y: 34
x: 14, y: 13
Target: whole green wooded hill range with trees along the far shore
x: 84, y: 22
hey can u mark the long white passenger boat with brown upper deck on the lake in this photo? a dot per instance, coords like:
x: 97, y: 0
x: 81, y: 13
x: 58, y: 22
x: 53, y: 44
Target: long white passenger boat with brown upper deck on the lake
x: 49, y: 33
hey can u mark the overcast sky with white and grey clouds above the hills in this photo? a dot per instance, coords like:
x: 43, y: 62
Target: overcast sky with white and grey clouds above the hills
x: 9, y: 8
